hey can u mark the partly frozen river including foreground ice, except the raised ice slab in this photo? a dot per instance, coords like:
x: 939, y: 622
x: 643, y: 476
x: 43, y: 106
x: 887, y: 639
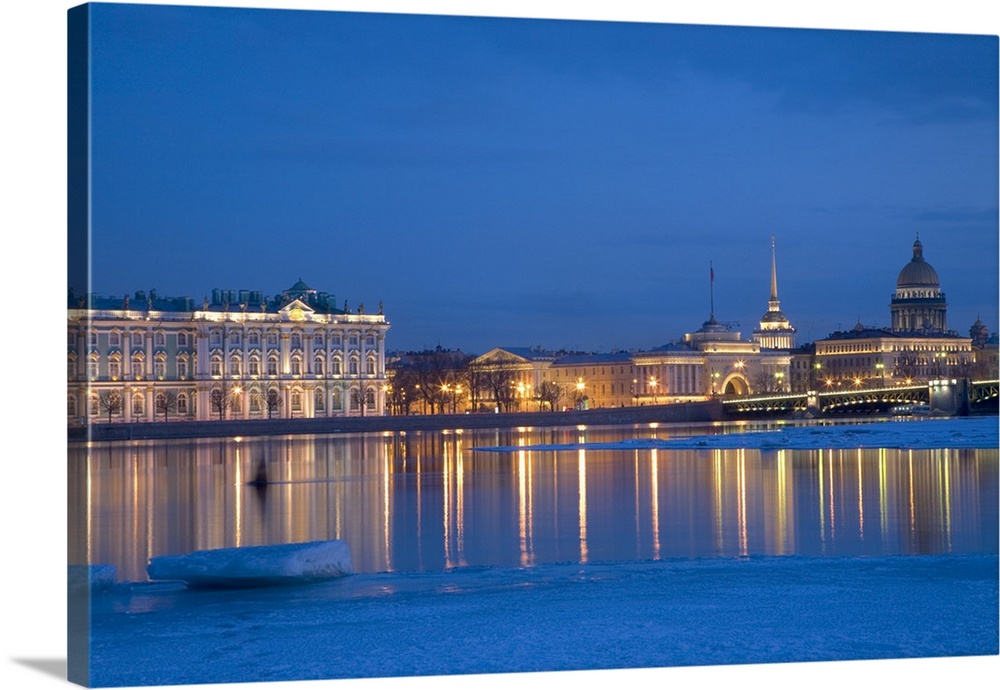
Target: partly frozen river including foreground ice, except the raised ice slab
x: 549, y: 549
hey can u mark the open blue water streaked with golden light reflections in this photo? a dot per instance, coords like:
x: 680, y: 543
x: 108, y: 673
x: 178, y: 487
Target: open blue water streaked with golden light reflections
x: 428, y: 501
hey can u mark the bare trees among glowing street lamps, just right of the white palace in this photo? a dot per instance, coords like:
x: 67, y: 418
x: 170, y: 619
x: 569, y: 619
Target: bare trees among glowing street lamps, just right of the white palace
x: 439, y: 381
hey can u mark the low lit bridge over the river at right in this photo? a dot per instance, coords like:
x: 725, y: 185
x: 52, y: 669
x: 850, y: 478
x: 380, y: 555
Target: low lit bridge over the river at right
x: 946, y: 397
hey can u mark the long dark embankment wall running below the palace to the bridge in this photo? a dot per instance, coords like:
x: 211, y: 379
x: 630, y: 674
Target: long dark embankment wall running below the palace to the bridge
x: 678, y: 412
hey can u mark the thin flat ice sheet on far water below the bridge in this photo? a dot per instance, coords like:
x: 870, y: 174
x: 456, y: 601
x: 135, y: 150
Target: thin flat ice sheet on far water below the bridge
x: 952, y: 432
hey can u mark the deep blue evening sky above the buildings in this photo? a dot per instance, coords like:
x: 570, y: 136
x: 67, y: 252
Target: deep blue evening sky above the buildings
x: 563, y: 183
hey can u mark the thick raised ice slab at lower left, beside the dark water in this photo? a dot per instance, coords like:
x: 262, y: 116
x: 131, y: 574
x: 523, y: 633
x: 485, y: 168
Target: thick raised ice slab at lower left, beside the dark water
x: 255, y: 566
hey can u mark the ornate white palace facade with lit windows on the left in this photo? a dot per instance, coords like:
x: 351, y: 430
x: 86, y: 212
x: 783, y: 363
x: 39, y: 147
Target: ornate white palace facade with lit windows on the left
x: 239, y: 355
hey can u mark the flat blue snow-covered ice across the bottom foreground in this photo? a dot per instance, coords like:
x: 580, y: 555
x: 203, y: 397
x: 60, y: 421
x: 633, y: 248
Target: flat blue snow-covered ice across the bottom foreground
x: 555, y: 617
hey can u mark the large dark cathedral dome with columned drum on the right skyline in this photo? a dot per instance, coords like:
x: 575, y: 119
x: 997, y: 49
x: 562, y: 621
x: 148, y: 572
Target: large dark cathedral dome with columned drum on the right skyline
x: 918, y: 304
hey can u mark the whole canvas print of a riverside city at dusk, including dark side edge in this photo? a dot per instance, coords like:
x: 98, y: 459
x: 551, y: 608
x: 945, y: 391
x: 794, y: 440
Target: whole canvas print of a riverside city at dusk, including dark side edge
x: 411, y: 345
